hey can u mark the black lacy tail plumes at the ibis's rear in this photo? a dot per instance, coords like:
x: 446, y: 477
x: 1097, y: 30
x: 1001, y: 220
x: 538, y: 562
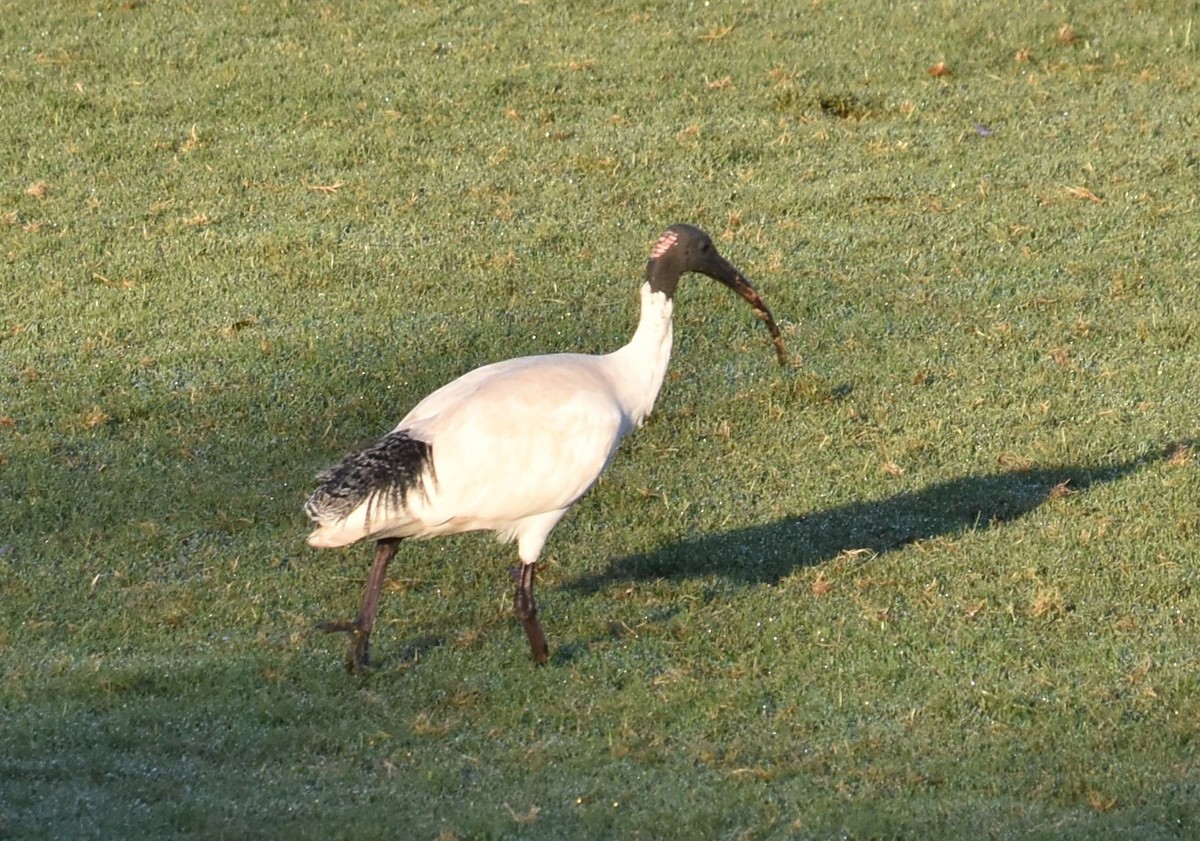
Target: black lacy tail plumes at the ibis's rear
x: 386, y: 472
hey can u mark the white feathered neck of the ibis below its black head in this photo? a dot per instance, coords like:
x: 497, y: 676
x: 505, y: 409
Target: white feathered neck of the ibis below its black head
x: 639, y: 368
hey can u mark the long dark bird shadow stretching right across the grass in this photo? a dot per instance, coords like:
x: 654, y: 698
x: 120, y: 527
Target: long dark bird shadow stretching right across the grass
x: 769, y: 554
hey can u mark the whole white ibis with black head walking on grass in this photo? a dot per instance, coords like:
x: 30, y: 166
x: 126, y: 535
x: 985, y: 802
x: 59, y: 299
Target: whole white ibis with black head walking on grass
x: 511, y: 447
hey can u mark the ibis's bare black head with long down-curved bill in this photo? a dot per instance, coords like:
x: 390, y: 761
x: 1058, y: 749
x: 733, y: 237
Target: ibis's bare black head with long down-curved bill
x: 682, y: 249
